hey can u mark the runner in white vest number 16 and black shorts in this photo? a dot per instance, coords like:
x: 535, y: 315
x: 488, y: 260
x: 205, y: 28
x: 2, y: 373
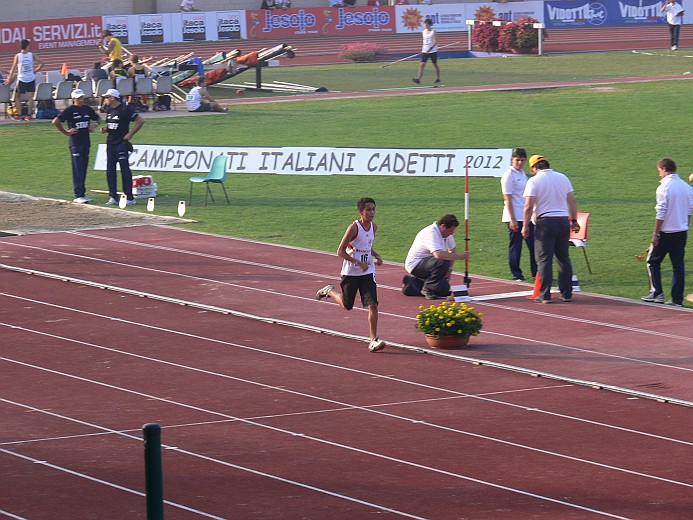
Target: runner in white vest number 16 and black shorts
x: 358, y: 269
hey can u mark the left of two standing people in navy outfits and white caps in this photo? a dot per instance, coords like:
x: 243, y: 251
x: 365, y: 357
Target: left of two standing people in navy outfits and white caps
x: 79, y: 118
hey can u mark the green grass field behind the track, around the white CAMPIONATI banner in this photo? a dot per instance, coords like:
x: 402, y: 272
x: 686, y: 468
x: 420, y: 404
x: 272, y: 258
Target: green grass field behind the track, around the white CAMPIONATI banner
x: 607, y: 139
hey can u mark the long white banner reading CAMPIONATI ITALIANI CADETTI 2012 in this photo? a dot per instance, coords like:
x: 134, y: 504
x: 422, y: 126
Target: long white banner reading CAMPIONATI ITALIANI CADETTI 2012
x: 483, y: 162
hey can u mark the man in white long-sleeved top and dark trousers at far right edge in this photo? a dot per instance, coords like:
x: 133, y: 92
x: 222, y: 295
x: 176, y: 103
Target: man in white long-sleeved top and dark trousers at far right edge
x: 672, y: 216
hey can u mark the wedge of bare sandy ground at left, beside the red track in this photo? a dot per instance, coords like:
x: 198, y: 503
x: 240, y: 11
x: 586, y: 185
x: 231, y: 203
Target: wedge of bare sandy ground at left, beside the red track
x: 24, y: 214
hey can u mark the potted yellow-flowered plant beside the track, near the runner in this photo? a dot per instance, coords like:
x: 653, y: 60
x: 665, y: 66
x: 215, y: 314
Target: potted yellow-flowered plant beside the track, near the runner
x: 449, y: 324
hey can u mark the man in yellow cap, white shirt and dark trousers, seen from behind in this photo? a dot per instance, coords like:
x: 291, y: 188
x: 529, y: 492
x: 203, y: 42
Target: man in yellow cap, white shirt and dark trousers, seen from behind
x: 550, y: 204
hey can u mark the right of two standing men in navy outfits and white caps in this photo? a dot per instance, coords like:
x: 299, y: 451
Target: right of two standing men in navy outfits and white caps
x: 118, y: 146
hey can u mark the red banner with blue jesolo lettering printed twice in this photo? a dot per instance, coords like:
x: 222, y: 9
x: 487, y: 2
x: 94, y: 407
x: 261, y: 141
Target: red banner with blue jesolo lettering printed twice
x: 320, y: 21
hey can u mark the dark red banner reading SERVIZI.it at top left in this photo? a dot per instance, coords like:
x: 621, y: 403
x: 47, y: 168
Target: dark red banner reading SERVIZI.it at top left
x: 51, y: 34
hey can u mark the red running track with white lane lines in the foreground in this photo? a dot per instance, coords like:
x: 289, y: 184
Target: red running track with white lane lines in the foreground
x: 263, y: 420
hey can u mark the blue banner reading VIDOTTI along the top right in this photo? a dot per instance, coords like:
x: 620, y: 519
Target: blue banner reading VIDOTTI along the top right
x: 602, y: 13
